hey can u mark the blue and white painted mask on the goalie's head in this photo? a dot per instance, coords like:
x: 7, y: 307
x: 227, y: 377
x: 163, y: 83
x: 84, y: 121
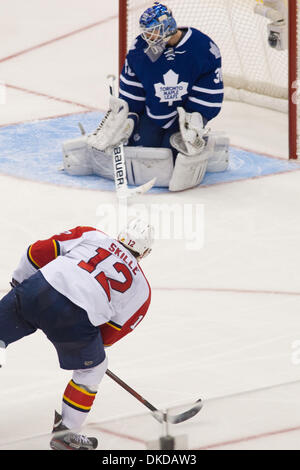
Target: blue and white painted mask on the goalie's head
x: 157, y: 25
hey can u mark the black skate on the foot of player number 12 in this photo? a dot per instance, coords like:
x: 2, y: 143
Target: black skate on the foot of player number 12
x: 64, y: 439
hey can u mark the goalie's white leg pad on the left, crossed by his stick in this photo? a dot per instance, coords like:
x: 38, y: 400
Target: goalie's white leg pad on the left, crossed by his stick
x: 142, y: 163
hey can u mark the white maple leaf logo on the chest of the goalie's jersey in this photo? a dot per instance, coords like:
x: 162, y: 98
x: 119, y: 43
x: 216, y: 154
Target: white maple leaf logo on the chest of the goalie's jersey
x: 170, y: 90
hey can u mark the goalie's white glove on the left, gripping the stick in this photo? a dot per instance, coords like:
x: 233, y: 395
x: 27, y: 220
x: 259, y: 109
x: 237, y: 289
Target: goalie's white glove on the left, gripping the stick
x: 115, y: 128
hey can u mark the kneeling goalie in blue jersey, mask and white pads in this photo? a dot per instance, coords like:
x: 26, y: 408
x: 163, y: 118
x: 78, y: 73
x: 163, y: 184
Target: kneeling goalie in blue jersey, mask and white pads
x: 171, y: 87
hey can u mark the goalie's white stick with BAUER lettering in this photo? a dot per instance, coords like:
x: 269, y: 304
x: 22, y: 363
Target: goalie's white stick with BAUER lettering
x: 123, y: 192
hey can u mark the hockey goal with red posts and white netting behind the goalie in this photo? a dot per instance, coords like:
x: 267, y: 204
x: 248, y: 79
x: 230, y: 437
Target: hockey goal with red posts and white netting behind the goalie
x: 253, y: 72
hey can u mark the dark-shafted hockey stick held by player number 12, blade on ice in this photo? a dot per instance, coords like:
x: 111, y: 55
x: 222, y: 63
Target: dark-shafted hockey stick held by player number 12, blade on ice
x: 159, y: 415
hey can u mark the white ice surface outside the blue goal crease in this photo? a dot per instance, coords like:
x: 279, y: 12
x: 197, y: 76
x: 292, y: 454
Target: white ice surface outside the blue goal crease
x: 223, y: 319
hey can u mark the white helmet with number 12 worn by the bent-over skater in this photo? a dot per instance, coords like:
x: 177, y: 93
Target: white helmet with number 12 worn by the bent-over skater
x: 137, y: 236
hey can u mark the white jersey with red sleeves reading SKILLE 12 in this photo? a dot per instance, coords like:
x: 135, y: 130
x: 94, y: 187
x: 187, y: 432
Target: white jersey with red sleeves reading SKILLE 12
x: 96, y: 273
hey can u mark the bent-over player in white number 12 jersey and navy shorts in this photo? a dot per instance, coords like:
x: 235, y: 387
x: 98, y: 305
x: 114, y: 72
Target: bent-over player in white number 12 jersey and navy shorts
x: 85, y: 291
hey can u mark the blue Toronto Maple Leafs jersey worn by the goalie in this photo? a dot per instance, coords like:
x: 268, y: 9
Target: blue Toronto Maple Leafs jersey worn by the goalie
x: 187, y: 75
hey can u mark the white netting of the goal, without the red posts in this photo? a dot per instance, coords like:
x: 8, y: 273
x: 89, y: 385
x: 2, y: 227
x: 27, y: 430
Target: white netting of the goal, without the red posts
x: 253, y: 71
